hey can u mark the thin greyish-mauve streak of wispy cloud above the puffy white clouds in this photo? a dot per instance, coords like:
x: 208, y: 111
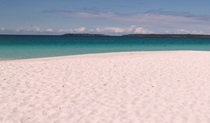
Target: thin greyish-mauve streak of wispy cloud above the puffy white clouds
x: 150, y: 17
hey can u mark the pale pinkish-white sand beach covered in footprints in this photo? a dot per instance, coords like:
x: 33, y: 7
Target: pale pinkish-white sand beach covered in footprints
x: 147, y: 87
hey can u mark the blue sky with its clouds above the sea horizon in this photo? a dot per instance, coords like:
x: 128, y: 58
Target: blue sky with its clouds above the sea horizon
x: 113, y: 17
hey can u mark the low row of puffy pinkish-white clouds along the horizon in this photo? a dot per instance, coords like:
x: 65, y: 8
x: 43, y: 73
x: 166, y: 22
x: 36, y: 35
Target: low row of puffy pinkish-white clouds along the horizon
x: 133, y: 29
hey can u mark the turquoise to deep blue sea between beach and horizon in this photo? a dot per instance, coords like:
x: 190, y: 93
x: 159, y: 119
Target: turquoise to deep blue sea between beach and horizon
x: 20, y: 46
